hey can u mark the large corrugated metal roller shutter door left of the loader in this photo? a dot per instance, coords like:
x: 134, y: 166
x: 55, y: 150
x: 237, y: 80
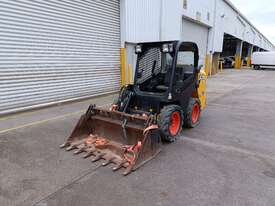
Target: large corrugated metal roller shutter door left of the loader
x: 53, y: 51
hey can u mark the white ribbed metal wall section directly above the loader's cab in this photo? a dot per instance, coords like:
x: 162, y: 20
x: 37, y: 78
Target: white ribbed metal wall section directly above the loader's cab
x: 151, y: 20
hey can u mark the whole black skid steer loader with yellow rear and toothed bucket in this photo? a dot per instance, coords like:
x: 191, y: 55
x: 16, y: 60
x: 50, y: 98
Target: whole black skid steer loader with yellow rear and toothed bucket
x: 168, y: 93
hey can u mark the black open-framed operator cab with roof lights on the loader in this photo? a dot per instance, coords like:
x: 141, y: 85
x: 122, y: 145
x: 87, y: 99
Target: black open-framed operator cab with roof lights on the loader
x: 162, y: 65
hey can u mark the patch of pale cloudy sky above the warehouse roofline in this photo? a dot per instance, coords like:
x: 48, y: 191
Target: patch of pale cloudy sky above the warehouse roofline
x: 261, y: 13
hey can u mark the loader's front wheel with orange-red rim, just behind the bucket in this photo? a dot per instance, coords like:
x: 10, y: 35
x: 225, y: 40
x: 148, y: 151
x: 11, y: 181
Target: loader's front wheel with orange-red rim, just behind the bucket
x: 170, y: 122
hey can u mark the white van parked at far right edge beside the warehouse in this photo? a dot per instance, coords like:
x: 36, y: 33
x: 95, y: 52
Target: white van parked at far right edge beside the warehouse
x: 262, y: 60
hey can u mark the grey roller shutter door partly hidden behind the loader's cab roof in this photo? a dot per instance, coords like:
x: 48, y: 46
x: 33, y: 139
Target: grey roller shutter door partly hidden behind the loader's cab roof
x: 196, y: 33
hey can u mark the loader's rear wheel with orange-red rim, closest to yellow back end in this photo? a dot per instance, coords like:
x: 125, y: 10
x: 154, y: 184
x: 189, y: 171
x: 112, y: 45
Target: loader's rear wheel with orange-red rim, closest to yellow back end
x: 192, y: 118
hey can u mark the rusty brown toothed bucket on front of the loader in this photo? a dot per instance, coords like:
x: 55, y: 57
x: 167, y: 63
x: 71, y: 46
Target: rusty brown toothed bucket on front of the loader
x: 126, y: 141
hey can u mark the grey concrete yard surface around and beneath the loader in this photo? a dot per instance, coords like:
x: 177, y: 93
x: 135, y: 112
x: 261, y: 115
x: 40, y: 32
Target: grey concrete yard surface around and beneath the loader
x: 229, y: 159
